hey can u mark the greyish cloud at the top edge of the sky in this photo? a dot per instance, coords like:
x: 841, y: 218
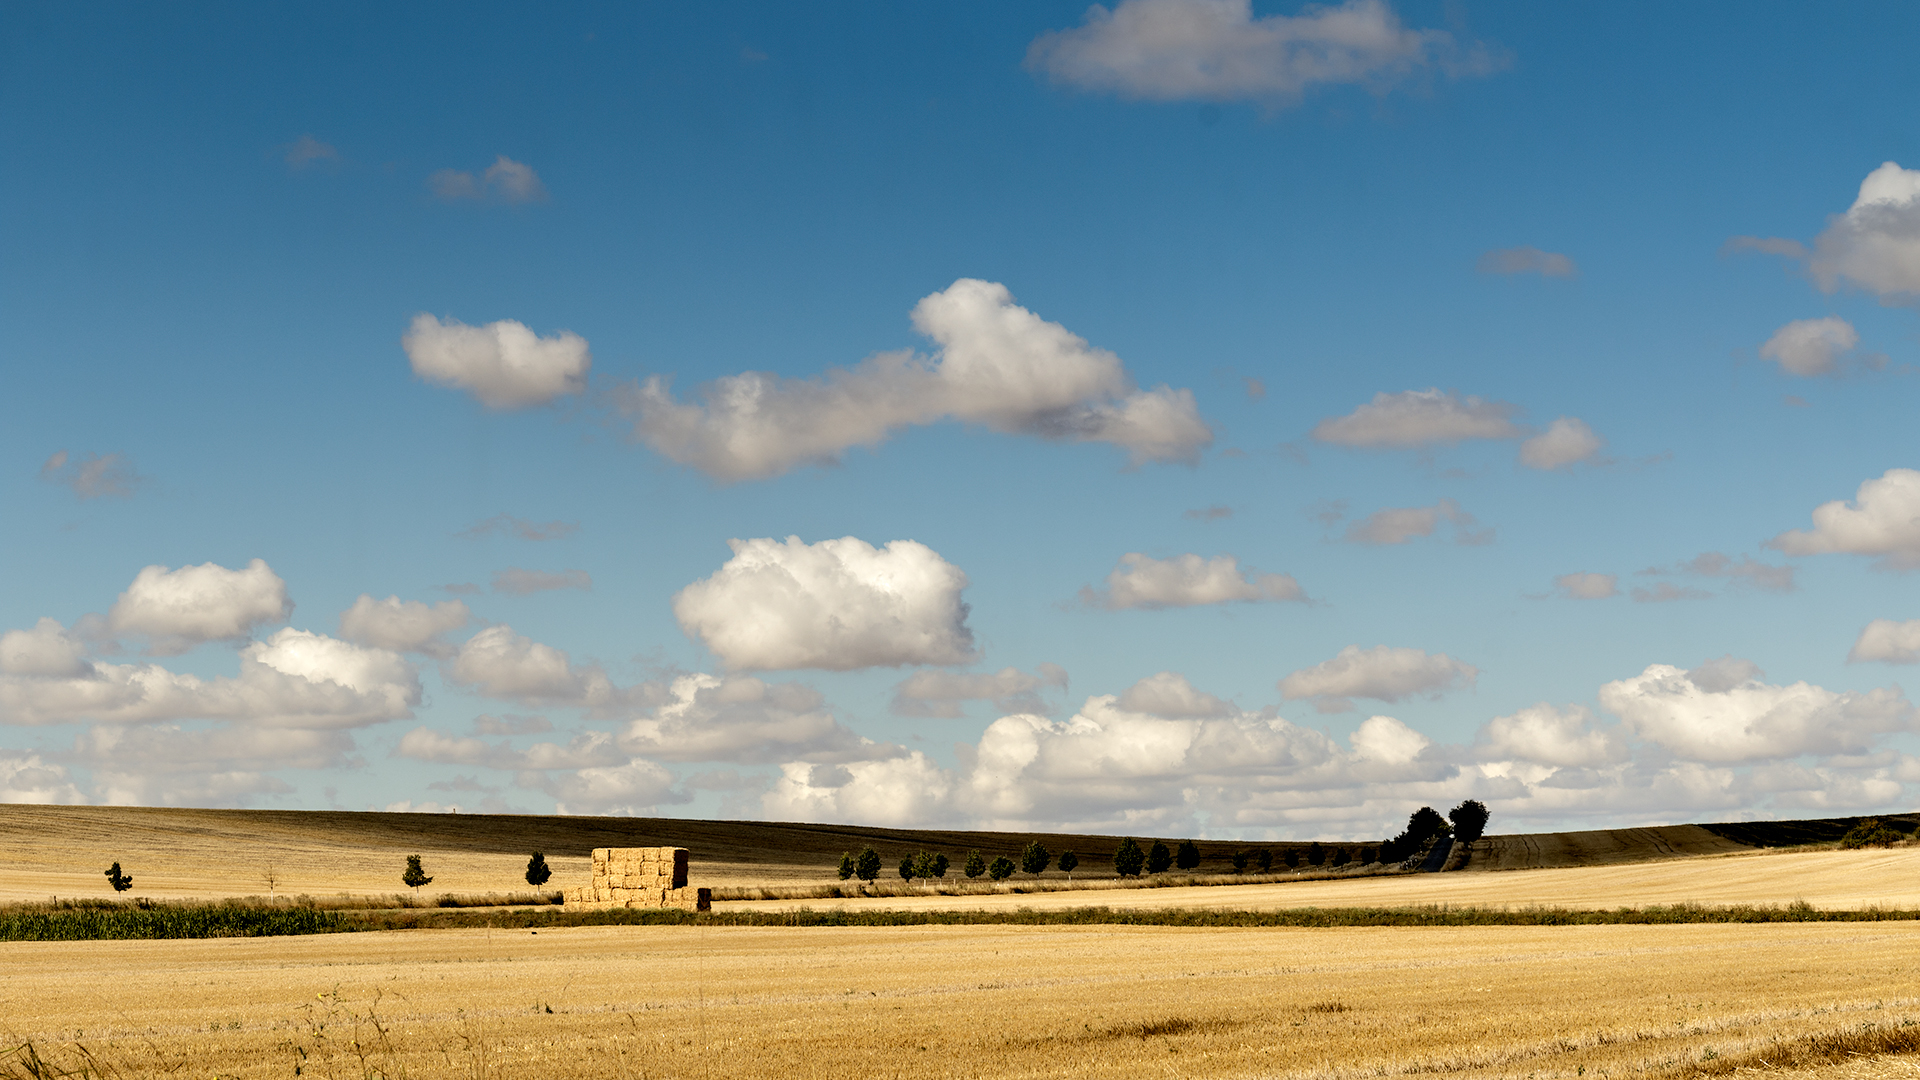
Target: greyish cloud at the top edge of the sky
x: 1170, y: 51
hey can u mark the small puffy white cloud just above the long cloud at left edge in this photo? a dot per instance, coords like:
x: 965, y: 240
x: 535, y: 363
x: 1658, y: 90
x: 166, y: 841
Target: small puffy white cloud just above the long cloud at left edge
x: 180, y: 610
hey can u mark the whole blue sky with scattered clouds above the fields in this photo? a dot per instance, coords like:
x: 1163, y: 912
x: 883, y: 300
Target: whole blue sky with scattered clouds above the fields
x: 1191, y: 418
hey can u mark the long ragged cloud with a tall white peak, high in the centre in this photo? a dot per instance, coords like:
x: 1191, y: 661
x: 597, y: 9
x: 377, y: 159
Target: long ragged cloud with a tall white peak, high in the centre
x: 999, y: 366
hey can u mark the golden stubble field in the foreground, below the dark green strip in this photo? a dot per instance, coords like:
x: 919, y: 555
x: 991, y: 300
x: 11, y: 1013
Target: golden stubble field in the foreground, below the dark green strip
x: 673, y: 1002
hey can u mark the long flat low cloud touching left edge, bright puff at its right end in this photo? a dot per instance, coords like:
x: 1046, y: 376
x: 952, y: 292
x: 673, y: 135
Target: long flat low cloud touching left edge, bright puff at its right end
x: 295, y: 679
